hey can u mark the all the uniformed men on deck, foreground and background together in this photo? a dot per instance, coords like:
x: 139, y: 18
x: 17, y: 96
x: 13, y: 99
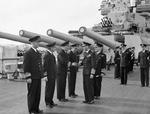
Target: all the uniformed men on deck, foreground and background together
x: 57, y: 68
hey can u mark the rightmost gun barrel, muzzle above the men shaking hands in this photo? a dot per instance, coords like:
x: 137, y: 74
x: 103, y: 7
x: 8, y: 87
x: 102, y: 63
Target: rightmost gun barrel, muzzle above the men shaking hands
x: 97, y: 37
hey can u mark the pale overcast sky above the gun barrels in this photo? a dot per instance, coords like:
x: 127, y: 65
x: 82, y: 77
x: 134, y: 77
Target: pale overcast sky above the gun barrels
x: 40, y: 15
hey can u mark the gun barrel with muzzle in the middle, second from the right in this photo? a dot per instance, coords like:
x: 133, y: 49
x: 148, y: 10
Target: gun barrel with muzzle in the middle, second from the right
x: 62, y: 36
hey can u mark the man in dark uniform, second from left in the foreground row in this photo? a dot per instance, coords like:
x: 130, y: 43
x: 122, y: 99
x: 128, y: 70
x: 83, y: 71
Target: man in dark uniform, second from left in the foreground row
x: 50, y: 70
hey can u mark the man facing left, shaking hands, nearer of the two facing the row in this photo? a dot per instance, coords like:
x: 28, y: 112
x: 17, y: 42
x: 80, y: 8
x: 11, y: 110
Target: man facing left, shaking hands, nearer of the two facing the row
x: 88, y: 74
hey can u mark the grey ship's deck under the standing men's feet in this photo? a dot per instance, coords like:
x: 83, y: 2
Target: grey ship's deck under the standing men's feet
x: 115, y: 98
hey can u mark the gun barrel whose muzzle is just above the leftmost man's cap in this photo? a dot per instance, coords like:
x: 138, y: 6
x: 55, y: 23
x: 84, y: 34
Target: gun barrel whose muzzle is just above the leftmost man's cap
x: 46, y: 39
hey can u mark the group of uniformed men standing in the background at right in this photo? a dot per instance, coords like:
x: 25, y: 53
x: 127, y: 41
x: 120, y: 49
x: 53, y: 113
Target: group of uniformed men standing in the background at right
x: 125, y: 60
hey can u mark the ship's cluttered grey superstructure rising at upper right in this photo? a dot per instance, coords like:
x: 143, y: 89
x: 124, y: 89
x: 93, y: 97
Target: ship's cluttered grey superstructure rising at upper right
x: 125, y: 17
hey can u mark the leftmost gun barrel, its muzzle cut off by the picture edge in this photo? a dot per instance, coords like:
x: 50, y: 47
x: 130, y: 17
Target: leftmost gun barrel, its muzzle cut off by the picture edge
x: 18, y: 38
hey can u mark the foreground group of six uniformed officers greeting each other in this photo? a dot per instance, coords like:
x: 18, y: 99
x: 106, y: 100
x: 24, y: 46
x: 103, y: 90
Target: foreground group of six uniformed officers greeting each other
x: 57, y: 68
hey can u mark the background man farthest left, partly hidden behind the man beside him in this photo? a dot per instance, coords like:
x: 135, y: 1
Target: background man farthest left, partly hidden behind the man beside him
x: 117, y: 62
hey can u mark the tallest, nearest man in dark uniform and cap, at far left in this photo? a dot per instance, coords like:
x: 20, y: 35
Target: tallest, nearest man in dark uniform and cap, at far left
x: 33, y: 71
